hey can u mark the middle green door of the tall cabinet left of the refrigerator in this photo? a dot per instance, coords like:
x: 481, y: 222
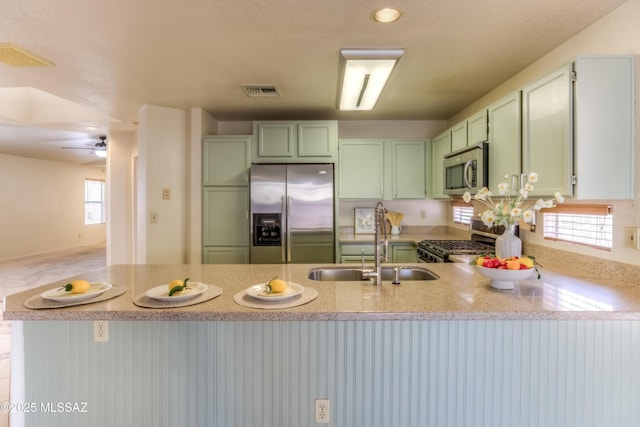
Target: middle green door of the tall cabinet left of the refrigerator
x: 225, y: 219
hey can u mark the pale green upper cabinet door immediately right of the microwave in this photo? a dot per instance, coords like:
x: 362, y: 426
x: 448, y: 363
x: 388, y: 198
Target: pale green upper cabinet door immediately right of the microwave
x: 505, y: 139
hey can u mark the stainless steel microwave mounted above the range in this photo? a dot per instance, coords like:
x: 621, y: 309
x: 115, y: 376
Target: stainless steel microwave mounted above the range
x: 466, y: 169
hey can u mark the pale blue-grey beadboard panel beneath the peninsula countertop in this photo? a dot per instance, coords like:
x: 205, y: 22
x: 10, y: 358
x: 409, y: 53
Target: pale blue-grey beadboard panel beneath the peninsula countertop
x: 375, y: 373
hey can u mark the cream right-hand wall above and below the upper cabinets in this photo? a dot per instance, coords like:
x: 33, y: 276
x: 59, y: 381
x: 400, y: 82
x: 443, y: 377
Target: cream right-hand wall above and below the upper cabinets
x: 617, y: 33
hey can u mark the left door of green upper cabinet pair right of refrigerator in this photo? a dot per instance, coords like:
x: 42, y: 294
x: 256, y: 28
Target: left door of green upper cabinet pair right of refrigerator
x: 361, y: 166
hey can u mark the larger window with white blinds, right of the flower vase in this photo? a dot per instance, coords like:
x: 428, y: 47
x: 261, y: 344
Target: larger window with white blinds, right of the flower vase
x: 589, y: 225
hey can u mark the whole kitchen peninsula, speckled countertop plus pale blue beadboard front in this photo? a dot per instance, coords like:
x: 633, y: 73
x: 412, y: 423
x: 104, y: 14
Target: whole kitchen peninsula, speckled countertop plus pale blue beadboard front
x: 556, y: 351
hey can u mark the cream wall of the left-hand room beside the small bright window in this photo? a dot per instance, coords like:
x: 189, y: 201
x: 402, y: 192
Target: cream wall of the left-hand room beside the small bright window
x: 42, y: 206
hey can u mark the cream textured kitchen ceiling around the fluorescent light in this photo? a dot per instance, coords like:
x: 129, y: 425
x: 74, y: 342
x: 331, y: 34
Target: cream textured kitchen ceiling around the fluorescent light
x: 115, y: 56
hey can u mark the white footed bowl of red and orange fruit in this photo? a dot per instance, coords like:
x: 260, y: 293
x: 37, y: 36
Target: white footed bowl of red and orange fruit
x: 503, y: 272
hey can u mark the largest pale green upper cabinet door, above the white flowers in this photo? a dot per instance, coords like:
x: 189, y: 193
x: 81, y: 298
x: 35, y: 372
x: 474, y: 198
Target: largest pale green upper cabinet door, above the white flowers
x: 547, y: 132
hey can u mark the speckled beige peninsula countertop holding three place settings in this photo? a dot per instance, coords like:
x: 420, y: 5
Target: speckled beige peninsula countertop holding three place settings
x: 460, y: 293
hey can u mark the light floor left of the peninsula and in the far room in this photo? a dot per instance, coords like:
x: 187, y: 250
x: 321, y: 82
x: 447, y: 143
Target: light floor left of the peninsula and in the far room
x: 28, y: 272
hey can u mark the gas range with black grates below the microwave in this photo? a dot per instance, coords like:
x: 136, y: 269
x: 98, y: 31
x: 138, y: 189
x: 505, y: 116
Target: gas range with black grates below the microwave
x: 482, y: 241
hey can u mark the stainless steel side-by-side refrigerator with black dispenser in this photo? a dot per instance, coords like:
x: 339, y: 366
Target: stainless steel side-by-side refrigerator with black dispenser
x: 292, y: 213
